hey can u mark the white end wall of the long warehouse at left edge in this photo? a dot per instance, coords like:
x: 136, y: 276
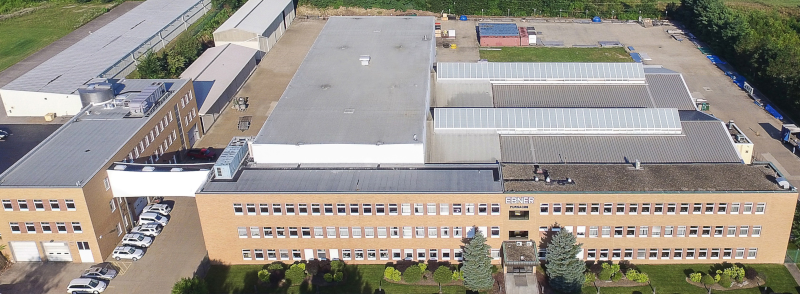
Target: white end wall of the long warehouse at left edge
x: 24, y: 103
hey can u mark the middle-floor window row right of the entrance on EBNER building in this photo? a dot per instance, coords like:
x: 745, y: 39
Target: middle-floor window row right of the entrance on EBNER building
x: 664, y: 231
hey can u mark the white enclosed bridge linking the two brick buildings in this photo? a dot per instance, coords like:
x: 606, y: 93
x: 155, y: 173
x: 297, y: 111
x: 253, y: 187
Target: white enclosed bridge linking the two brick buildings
x: 156, y: 183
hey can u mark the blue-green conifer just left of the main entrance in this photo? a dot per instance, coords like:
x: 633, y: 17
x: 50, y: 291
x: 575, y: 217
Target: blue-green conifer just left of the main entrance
x: 477, y: 264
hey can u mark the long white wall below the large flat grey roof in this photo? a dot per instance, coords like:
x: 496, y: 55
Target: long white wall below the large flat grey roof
x: 339, y: 153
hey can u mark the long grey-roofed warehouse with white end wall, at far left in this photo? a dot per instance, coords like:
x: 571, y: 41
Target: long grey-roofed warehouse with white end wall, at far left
x: 52, y: 86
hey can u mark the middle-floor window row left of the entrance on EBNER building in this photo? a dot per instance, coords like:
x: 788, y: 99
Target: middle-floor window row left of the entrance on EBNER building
x: 364, y: 232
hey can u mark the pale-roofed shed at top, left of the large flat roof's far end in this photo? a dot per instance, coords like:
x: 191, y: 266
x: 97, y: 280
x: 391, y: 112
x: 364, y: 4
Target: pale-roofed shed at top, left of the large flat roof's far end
x: 258, y: 24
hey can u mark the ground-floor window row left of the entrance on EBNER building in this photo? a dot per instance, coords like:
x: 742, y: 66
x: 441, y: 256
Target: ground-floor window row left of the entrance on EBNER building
x: 358, y: 254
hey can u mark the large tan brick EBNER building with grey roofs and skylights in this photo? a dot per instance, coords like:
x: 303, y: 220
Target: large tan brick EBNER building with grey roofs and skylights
x: 615, y: 153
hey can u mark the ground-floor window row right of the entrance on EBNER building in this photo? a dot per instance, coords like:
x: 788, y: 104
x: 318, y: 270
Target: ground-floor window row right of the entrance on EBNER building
x: 671, y: 253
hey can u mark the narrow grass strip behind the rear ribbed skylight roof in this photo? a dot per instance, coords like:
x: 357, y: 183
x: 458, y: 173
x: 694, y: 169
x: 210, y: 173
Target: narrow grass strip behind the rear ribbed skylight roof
x: 546, y: 54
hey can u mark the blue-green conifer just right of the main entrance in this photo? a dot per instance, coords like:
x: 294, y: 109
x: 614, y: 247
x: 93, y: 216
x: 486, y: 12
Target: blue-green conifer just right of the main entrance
x: 564, y: 270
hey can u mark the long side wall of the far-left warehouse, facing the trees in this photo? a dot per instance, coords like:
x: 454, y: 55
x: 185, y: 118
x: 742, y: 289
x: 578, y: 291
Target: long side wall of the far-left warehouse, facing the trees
x: 128, y: 64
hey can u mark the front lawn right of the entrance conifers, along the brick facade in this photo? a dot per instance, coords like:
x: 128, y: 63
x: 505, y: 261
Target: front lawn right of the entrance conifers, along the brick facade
x: 669, y: 279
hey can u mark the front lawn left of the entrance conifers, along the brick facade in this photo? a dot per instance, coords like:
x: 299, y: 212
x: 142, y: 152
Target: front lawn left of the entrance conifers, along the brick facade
x: 358, y: 279
